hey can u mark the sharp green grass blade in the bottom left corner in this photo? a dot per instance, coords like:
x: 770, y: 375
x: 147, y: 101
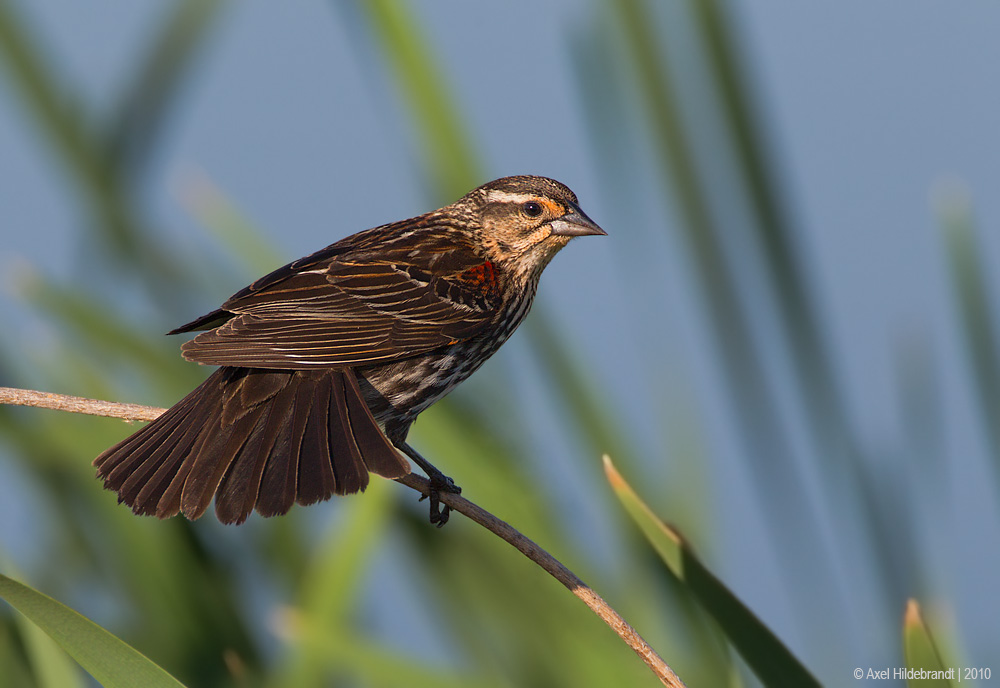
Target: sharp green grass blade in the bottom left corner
x: 109, y: 660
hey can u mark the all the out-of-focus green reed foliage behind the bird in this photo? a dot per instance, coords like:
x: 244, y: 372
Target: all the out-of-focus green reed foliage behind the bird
x: 302, y: 600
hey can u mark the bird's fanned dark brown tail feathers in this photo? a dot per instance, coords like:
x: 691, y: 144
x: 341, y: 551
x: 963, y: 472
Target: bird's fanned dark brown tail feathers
x: 252, y: 439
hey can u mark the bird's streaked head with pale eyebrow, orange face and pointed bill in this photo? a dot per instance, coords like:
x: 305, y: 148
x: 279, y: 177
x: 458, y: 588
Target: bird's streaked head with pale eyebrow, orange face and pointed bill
x: 525, y: 220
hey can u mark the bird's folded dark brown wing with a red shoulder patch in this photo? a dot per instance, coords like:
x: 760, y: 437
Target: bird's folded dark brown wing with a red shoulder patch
x: 362, y: 301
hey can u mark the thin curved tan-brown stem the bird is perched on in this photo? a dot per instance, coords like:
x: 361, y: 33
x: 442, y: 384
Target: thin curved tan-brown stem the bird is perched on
x: 137, y: 412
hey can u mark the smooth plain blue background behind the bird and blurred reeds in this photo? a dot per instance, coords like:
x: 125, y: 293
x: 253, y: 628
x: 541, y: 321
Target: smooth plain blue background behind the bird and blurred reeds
x: 879, y: 113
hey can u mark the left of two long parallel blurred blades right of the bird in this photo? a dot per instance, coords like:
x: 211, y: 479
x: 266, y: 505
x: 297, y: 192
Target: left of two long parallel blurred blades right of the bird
x: 738, y: 351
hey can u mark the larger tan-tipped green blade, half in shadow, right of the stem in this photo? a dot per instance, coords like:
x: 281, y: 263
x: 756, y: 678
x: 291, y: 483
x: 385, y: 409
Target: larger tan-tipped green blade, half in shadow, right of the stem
x: 766, y: 655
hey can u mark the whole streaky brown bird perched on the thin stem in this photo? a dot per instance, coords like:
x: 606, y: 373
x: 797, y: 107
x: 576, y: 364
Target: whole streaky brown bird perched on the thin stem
x: 327, y: 361
